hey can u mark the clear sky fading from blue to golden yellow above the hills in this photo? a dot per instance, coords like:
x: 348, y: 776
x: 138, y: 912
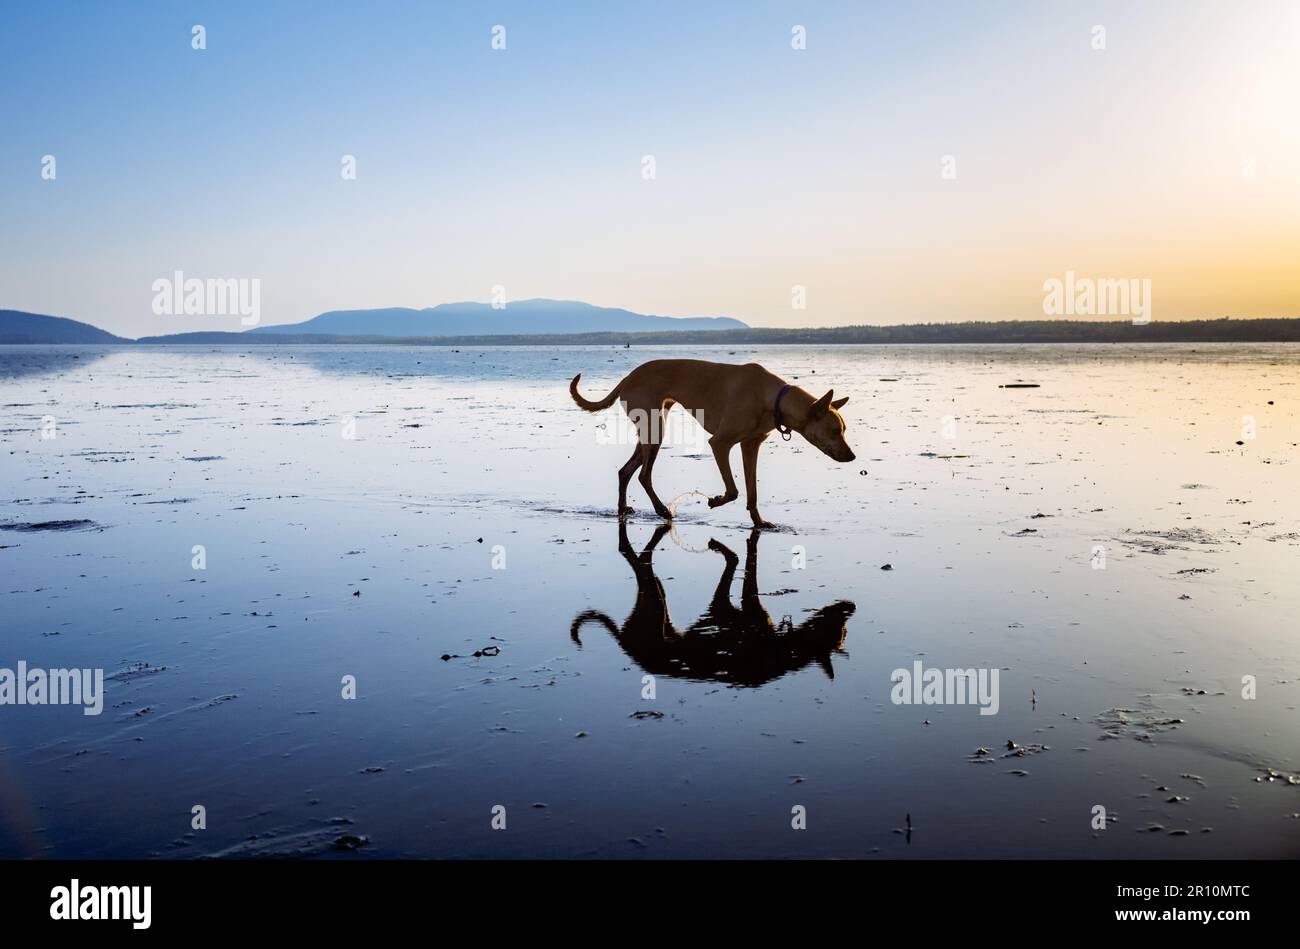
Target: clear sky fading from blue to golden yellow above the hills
x: 917, y: 162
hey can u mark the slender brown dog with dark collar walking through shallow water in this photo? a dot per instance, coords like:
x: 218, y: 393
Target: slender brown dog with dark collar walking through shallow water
x: 738, y: 405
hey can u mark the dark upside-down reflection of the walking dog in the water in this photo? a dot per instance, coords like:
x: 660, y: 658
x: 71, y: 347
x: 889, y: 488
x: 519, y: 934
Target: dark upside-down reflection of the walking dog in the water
x: 736, y: 645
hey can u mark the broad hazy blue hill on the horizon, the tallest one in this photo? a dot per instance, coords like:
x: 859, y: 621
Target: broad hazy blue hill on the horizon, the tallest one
x: 480, y: 319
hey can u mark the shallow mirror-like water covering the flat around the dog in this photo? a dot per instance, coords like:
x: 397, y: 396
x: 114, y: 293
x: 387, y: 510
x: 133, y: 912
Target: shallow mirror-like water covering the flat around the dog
x: 989, y: 504
